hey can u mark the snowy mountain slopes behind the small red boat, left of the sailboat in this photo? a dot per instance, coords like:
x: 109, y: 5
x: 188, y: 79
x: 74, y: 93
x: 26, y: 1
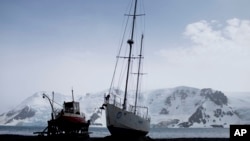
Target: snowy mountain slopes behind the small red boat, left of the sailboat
x: 36, y: 111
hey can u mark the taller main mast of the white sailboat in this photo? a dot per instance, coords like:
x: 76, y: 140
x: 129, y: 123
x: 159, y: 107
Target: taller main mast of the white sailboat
x: 130, y: 42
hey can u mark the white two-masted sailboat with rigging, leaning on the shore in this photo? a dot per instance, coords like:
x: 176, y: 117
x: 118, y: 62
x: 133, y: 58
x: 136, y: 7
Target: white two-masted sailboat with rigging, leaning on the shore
x: 122, y: 117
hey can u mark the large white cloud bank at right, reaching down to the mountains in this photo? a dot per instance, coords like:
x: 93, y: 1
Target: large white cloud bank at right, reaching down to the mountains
x: 218, y: 53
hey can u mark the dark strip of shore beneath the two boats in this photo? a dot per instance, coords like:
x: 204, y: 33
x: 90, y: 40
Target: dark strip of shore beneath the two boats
x: 13, y: 137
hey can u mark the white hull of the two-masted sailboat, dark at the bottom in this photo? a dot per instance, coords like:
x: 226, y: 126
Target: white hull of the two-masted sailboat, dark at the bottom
x: 120, y: 122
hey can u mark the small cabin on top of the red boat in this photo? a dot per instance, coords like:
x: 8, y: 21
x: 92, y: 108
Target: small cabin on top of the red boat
x: 71, y: 107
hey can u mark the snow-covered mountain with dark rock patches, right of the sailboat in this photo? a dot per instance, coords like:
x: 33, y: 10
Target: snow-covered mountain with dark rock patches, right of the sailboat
x: 191, y: 107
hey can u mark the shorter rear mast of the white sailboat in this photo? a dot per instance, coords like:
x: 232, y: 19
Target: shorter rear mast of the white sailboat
x: 139, y: 73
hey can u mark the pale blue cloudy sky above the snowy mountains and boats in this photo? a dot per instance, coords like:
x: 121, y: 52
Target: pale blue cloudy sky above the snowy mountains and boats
x: 57, y: 45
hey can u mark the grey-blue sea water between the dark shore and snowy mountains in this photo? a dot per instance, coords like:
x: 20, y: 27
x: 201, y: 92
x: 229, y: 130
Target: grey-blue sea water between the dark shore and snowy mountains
x: 154, y: 132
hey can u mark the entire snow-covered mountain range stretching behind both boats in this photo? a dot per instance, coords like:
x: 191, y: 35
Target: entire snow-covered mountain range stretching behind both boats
x: 173, y: 107
